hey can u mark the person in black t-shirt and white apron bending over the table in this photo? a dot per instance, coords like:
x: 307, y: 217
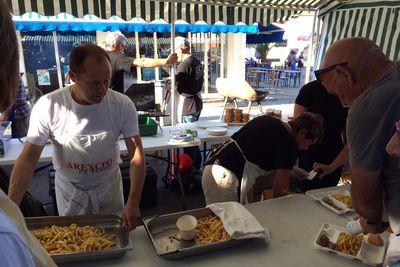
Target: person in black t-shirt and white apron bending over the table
x: 264, y: 146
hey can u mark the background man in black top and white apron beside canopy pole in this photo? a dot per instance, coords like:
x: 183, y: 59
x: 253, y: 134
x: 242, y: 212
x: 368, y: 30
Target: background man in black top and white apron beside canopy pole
x: 189, y: 83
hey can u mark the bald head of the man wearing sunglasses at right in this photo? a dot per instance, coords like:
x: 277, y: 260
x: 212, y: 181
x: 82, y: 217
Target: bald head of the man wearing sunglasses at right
x: 363, y: 64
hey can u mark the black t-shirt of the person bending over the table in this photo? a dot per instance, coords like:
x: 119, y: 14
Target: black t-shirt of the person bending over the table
x: 265, y: 141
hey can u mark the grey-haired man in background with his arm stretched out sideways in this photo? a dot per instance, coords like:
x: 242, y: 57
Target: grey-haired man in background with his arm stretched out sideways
x: 115, y: 45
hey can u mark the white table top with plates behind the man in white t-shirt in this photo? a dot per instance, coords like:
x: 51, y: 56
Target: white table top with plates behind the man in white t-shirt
x: 13, y: 147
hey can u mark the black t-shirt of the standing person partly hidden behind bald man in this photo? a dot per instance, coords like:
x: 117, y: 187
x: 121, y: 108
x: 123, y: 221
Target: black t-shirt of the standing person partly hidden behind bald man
x: 316, y: 99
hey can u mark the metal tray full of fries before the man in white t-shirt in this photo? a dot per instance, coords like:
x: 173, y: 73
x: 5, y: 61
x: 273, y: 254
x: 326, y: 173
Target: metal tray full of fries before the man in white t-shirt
x: 112, y: 224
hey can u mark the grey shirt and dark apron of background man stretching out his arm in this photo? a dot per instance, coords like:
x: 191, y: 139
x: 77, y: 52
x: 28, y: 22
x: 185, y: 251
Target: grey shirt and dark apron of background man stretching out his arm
x: 120, y: 63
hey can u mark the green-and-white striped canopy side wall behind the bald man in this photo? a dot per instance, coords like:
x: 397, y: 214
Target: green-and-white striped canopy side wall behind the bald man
x: 378, y: 21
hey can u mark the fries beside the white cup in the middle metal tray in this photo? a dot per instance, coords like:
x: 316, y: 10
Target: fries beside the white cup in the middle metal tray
x: 210, y: 229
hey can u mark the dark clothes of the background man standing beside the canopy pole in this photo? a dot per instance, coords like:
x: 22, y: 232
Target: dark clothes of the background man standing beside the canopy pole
x: 189, y: 82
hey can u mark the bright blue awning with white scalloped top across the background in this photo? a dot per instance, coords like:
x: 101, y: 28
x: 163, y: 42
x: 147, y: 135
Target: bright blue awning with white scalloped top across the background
x: 33, y: 21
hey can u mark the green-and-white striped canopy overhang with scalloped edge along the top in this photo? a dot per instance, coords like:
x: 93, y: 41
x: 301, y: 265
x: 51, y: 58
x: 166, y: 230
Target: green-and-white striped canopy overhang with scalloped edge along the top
x: 210, y: 11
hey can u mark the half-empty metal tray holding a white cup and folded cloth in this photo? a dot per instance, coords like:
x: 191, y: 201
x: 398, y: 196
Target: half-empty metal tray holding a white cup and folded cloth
x: 161, y: 228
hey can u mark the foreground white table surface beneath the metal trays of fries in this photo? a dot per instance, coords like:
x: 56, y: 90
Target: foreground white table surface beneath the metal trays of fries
x: 294, y: 222
